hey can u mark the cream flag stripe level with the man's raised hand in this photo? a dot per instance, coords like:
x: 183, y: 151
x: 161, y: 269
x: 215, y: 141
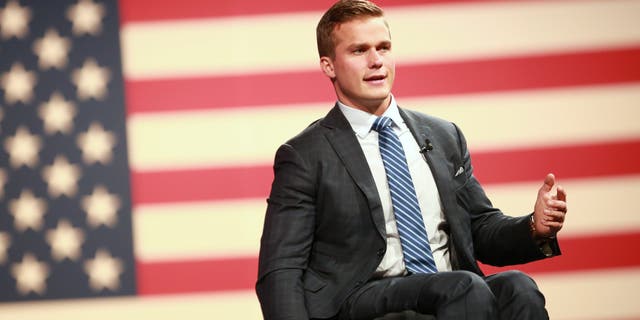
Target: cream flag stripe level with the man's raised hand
x: 203, y: 229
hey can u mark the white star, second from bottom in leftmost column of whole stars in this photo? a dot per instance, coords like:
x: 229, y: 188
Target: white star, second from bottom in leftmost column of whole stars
x: 27, y: 211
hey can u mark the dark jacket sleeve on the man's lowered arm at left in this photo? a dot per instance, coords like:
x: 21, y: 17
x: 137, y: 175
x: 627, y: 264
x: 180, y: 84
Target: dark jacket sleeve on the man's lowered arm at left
x: 286, y: 238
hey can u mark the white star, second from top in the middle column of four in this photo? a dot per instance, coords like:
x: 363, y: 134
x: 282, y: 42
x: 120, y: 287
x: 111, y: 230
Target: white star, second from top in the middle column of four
x: 57, y: 114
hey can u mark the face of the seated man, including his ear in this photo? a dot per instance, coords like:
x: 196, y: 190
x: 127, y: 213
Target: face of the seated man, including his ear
x: 363, y: 68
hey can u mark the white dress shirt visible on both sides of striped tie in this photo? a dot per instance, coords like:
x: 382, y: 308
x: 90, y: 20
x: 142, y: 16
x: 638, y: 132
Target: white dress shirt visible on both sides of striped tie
x: 428, y: 199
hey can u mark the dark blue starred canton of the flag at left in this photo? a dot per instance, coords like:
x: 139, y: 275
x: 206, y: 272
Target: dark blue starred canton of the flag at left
x: 65, y: 219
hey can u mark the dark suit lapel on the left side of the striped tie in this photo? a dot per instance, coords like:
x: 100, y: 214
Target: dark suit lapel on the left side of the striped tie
x: 343, y: 140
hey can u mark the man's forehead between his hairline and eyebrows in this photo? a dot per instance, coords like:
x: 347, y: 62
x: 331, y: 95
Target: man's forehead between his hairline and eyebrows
x: 363, y: 30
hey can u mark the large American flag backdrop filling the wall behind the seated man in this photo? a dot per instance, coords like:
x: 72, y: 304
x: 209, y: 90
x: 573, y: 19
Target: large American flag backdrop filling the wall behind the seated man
x: 137, y: 137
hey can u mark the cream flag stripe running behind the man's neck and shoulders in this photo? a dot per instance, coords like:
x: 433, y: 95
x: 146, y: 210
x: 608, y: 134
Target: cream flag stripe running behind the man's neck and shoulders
x: 579, y: 114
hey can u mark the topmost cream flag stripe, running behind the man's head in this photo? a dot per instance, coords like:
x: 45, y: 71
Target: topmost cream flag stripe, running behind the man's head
x: 283, y: 42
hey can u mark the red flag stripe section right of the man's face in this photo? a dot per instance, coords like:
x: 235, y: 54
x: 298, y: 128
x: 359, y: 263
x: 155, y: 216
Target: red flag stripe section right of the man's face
x: 523, y: 72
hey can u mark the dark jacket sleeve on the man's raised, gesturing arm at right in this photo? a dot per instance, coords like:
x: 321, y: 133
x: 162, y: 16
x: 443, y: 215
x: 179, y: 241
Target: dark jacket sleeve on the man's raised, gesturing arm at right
x: 498, y: 239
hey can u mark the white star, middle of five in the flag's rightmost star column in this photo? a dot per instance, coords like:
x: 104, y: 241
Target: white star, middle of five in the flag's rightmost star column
x: 96, y: 144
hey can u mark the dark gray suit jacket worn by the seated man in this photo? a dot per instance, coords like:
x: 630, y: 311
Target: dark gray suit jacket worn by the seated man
x: 324, y: 231
